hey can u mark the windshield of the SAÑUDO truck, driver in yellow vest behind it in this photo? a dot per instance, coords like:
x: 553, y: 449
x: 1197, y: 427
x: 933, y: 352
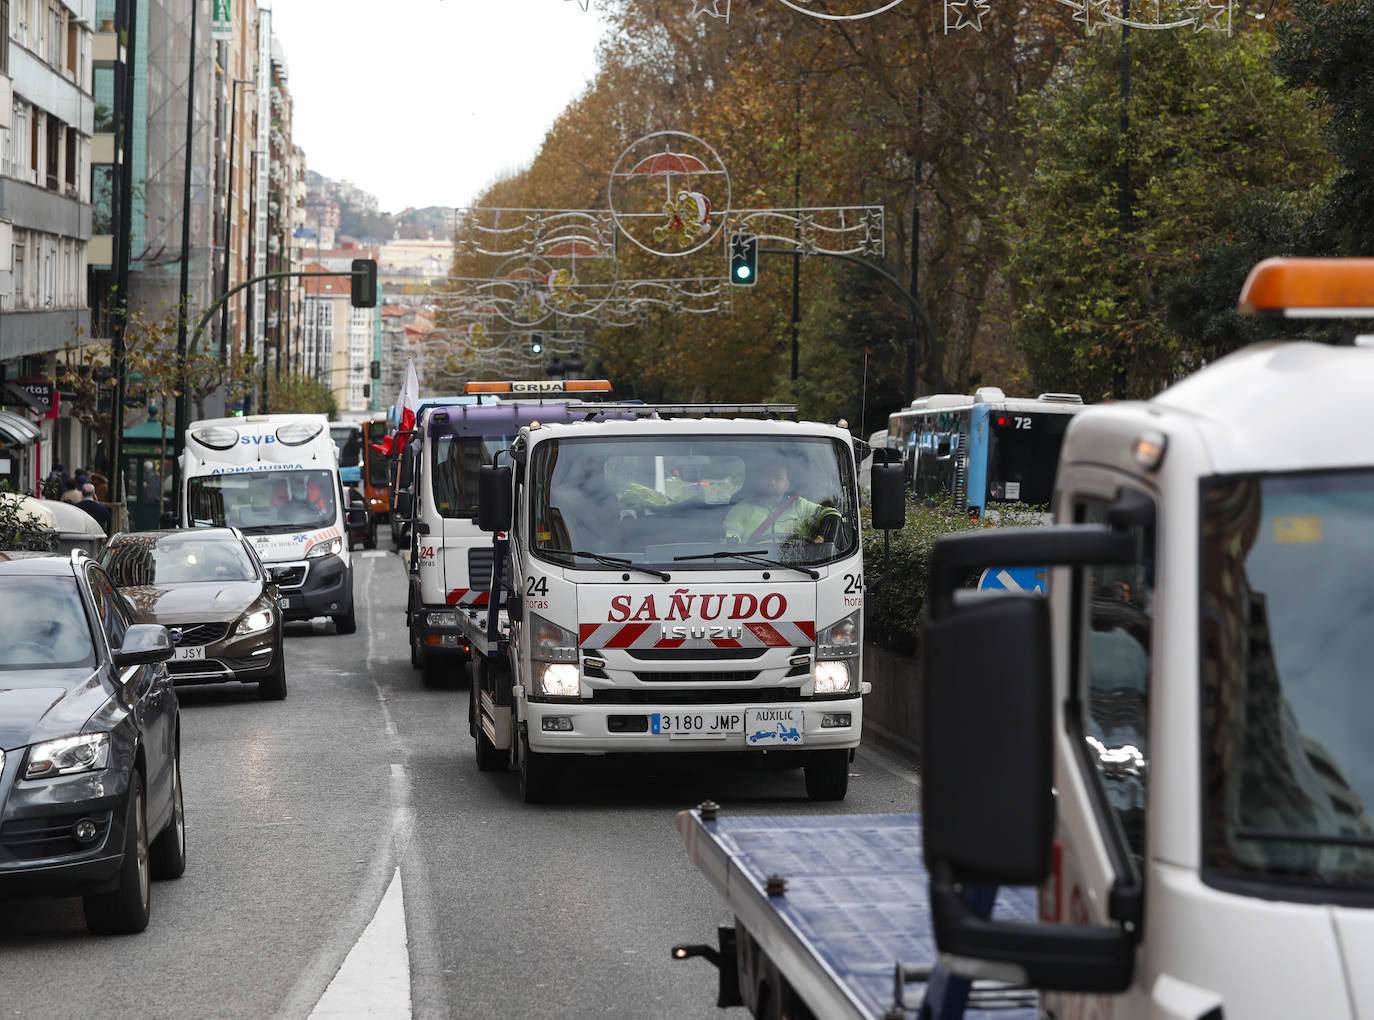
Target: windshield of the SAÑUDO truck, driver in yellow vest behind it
x: 657, y: 501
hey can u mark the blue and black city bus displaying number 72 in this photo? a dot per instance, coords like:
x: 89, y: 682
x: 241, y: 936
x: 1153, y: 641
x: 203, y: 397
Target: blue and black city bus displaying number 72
x: 983, y: 450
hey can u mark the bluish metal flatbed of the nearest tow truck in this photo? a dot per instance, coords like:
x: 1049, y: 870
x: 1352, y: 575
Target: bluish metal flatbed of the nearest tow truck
x: 851, y: 930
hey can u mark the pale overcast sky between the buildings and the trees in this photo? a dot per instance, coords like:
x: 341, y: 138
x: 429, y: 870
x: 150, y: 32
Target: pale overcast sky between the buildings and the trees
x: 425, y: 102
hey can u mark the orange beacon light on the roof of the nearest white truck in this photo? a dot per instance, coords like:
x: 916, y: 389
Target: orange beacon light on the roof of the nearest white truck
x: 1310, y: 289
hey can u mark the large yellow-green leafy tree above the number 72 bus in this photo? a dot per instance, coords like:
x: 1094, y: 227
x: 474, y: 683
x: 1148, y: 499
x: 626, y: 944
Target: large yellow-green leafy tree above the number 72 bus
x: 1218, y: 148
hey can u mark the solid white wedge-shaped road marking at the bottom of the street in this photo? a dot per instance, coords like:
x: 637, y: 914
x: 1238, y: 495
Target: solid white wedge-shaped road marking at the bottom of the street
x: 376, y: 977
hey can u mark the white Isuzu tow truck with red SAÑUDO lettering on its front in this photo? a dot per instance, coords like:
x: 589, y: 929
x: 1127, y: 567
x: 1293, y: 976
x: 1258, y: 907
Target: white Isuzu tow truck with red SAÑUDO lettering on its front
x: 656, y: 608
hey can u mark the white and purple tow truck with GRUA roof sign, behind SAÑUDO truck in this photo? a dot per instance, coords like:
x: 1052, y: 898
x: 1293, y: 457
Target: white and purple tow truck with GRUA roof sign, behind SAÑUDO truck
x: 450, y: 556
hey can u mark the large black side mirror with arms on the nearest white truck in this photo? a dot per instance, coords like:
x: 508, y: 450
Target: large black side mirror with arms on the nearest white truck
x: 989, y: 758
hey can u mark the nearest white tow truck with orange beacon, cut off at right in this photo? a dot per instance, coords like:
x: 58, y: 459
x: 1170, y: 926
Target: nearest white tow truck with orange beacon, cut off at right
x: 1173, y: 750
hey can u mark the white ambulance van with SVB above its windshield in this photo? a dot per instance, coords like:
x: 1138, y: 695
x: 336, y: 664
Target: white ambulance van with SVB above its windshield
x: 277, y: 479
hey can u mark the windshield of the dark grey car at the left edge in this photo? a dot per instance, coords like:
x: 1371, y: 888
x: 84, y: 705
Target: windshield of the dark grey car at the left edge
x: 43, y: 625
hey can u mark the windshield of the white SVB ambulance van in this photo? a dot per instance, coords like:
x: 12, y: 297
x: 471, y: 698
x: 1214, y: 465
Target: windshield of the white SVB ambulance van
x: 264, y: 501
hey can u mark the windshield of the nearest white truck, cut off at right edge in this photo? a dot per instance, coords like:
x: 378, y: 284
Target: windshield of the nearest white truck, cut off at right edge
x: 1287, y: 695
